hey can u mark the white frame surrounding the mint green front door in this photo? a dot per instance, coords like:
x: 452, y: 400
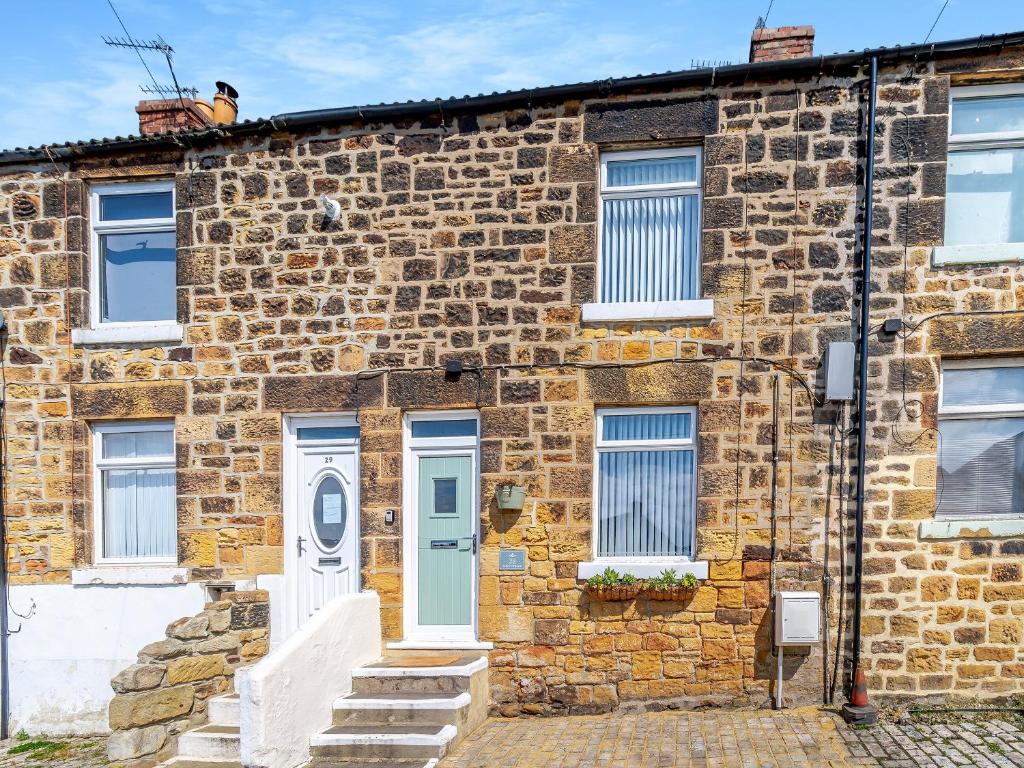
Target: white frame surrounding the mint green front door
x: 413, y: 449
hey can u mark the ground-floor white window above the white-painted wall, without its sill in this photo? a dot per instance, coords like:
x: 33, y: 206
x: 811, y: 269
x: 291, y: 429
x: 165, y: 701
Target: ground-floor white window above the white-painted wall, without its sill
x: 135, y: 499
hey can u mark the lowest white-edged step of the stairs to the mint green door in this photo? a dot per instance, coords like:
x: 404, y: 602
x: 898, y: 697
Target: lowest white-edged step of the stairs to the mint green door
x: 373, y: 743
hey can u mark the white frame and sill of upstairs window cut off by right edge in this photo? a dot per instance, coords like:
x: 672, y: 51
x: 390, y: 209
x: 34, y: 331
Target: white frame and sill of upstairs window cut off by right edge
x: 992, y: 252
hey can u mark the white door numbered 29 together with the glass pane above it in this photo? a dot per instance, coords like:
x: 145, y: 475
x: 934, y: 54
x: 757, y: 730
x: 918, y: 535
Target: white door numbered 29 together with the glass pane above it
x: 324, y: 516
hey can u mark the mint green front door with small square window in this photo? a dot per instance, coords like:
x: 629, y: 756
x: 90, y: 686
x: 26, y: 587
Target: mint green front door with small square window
x: 447, y: 545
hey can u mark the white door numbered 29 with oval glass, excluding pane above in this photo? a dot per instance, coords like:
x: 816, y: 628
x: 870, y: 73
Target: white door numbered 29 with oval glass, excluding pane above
x: 328, y: 537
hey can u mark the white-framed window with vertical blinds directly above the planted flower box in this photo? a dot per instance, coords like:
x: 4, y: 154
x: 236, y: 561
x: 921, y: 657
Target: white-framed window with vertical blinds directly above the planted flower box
x: 646, y: 483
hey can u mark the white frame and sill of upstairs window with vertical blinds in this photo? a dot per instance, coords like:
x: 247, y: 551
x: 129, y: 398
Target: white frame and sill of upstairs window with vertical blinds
x: 650, y: 311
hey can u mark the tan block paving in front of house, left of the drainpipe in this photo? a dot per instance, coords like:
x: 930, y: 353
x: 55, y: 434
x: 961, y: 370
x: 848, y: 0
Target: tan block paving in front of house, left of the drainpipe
x: 797, y: 739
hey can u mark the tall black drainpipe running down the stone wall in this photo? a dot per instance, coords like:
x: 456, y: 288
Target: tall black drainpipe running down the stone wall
x: 866, y: 301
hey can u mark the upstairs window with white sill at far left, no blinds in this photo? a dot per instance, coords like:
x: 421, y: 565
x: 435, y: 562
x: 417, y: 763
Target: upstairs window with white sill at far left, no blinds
x: 134, y: 280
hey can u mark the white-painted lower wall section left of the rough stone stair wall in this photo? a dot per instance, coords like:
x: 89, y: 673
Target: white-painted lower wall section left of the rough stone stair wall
x: 75, y: 641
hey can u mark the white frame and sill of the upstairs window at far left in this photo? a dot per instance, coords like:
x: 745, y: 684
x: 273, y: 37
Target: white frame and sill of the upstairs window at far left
x: 127, y: 332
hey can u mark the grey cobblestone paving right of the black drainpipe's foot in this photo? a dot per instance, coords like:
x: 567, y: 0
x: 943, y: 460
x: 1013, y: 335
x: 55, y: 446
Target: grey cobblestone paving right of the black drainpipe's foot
x: 980, y: 744
